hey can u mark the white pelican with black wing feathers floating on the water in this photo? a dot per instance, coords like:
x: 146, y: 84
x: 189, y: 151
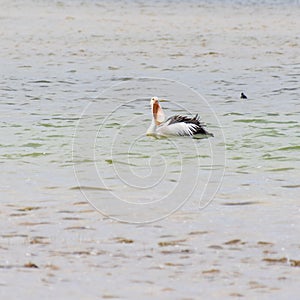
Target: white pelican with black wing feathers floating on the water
x: 176, y: 125
